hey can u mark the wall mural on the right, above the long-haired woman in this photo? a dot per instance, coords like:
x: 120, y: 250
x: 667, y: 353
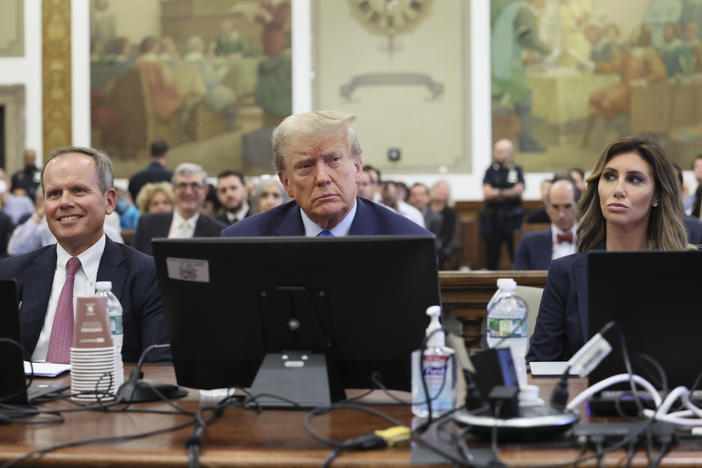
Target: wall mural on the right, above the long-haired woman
x: 568, y: 75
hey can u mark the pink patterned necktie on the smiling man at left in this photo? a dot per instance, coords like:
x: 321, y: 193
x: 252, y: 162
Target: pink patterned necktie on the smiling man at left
x: 61, y: 338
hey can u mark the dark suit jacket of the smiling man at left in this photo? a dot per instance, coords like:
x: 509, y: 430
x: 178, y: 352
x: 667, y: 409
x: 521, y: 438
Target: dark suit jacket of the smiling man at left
x: 133, y: 277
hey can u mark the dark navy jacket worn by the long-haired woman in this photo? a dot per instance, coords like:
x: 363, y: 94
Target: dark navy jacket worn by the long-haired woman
x: 562, y: 324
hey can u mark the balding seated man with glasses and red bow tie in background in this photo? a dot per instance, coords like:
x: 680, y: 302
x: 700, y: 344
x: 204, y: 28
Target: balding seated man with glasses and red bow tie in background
x: 537, y: 249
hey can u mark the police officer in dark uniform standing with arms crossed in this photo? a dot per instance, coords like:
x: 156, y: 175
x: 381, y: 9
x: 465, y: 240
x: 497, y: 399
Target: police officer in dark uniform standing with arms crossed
x: 503, y: 186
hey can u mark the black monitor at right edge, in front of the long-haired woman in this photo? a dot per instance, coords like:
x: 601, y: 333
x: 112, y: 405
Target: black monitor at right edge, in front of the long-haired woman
x: 655, y: 299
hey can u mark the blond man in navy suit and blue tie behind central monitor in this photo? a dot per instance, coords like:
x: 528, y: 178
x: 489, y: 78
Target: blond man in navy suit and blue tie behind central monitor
x: 318, y: 160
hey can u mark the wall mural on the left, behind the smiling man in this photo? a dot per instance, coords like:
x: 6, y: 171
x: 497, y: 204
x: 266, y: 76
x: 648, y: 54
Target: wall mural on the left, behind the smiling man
x: 211, y: 77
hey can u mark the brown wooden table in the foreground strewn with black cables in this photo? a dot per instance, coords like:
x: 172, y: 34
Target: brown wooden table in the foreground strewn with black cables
x: 244, y: 438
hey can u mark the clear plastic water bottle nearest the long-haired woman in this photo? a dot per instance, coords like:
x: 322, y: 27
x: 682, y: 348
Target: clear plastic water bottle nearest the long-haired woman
x: 507, y: 324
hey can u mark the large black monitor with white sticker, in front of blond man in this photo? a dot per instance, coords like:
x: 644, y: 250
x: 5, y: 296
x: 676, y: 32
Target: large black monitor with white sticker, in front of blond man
x: 360, y: 301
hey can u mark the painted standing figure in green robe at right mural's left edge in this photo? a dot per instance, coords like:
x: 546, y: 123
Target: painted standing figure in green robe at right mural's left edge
x: 515, y: 29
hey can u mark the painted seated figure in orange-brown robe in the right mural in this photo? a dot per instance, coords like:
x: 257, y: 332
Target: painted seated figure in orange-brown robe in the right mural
x: 639, y: 66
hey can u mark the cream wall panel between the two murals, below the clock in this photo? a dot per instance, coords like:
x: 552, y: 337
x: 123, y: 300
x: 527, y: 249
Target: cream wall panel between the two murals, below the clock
x: 430, y: 132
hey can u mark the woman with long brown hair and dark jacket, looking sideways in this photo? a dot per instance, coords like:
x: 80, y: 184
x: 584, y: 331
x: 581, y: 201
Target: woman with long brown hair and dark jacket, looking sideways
x: 631, y: 203
